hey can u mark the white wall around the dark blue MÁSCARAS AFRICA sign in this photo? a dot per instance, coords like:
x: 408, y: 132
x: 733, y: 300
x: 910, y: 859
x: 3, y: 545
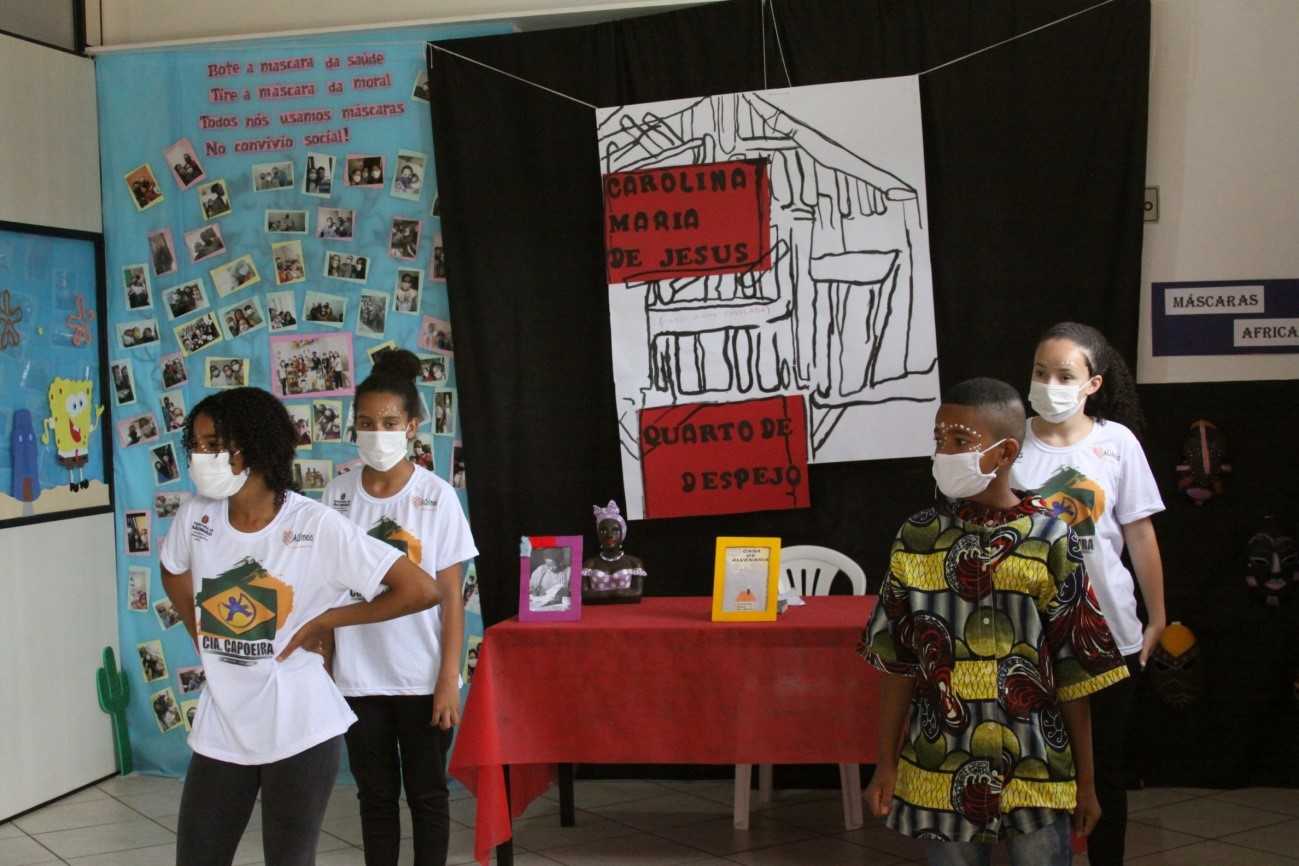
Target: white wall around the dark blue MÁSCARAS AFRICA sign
x: 1224, y: 153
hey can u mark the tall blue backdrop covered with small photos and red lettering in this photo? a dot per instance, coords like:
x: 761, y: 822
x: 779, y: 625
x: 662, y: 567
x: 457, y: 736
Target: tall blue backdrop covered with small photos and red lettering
x: 271, y: 220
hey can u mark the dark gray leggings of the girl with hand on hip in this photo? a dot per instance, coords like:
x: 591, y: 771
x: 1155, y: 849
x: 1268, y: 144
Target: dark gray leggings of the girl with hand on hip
x: 219, y: 799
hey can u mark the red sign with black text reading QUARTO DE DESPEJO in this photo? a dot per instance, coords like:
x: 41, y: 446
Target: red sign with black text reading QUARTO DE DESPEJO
x: 725, y: 458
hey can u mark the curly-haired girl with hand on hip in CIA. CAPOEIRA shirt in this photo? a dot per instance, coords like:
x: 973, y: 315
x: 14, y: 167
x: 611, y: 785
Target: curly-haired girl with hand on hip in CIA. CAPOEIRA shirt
x: 259, y: 576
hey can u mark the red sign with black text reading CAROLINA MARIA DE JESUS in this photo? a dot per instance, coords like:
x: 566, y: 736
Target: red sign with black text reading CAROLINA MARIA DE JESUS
x: 688, y: 221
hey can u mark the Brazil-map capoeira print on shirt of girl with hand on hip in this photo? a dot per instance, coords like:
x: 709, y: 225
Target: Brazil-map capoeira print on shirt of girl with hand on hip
x: 240, y: 612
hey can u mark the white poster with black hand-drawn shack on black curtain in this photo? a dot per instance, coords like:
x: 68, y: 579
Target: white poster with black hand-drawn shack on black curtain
x: 840, y: 311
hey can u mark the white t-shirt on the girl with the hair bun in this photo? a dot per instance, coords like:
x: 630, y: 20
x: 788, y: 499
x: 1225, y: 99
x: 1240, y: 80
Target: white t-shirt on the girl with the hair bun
x: 425, y: 521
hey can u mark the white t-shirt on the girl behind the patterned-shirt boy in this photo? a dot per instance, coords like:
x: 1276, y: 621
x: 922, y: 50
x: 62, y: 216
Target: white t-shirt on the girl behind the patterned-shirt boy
x: 1097, y: 486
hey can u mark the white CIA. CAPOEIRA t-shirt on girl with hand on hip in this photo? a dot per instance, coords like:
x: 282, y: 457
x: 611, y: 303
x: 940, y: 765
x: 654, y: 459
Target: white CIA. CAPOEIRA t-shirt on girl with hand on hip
x: 253, y: 593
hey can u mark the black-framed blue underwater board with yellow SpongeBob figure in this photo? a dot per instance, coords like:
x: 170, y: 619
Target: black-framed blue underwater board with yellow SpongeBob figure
x: 54, y: 445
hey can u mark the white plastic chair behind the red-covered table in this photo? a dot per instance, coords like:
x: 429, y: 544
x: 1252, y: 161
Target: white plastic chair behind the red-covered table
x: 811, y: 571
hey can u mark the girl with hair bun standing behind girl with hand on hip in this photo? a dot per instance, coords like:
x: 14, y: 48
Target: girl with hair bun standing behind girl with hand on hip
x: 402, y: 678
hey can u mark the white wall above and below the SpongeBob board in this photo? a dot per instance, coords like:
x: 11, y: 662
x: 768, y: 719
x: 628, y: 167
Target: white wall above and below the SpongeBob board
x: 58, y: 584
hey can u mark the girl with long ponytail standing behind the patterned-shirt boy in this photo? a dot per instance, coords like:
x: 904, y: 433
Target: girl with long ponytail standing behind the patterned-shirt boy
x: 1083, y: 458
